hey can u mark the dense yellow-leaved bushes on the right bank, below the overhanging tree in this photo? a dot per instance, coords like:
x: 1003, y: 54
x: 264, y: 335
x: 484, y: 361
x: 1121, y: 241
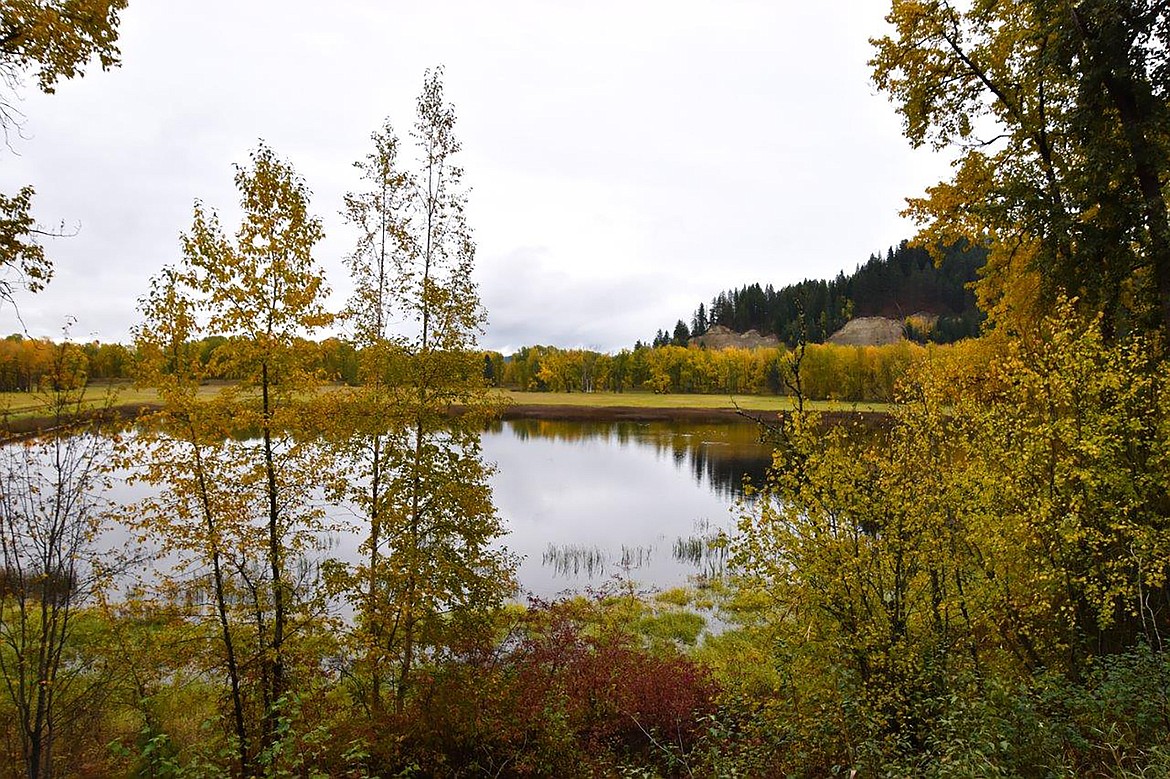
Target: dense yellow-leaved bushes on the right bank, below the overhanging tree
x: 1020, y: 507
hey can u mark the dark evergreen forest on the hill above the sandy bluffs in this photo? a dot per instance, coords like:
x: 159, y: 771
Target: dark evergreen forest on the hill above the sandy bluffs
x: 904, y: 282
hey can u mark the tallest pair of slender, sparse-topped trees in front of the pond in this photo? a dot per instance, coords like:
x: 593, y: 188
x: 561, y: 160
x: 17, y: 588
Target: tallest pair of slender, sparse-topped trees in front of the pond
x: 429, y: 555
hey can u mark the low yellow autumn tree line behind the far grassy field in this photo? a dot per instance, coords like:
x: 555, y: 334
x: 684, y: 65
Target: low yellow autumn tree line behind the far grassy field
x: 832, y: 373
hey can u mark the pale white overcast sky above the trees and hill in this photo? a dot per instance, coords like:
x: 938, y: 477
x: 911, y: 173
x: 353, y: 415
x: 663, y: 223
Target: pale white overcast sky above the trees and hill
x: 628, y: 160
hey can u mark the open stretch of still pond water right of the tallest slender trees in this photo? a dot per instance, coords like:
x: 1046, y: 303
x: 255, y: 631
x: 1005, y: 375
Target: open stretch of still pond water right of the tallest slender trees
x: 587, y: 502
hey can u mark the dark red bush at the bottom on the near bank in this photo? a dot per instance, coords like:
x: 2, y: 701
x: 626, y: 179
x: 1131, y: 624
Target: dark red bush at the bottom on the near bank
x: 561, y: 695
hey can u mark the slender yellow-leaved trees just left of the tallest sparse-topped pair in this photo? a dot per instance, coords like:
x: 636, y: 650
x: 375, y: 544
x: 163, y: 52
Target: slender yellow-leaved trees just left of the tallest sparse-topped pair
x: 243, y: 511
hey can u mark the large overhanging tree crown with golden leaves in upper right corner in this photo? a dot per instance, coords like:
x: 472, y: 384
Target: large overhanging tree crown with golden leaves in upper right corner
x: 1059, y: 113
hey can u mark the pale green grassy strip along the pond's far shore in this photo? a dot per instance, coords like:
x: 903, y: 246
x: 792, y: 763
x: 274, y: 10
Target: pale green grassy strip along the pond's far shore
x: 23, y: 405
